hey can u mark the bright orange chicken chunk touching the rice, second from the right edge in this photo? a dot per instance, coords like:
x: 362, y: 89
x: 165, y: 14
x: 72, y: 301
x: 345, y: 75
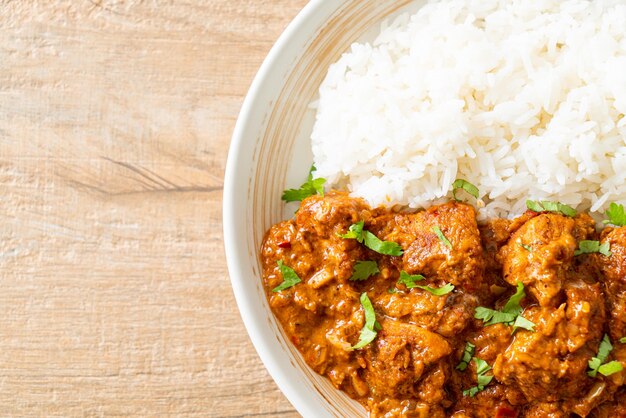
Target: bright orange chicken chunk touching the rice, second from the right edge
x: 539, y: 254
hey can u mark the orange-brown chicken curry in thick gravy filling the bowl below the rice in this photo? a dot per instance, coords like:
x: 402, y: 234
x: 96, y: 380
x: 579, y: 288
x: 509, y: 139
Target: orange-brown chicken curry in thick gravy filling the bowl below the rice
x: 410, y: 368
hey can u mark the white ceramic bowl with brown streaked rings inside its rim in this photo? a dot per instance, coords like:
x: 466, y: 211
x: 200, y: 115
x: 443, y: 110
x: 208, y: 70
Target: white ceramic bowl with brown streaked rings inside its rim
x: 270, y: 151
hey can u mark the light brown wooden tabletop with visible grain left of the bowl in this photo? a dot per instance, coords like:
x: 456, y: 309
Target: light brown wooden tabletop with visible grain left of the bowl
x: 115, y: 122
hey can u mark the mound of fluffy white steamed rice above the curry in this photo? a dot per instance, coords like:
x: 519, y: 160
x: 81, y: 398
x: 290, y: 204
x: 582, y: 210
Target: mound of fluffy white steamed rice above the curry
x: 525, y: 99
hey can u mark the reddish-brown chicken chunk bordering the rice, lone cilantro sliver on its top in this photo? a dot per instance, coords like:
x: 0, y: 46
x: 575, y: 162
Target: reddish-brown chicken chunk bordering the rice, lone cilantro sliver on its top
x: 460, y: 262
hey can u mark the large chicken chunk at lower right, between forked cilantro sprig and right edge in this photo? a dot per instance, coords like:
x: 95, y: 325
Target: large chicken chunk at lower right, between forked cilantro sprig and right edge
x: 550, y: 364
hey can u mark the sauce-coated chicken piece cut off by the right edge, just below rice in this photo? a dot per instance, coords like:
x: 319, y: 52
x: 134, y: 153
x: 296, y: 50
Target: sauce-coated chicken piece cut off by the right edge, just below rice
x: 614, y: 280
